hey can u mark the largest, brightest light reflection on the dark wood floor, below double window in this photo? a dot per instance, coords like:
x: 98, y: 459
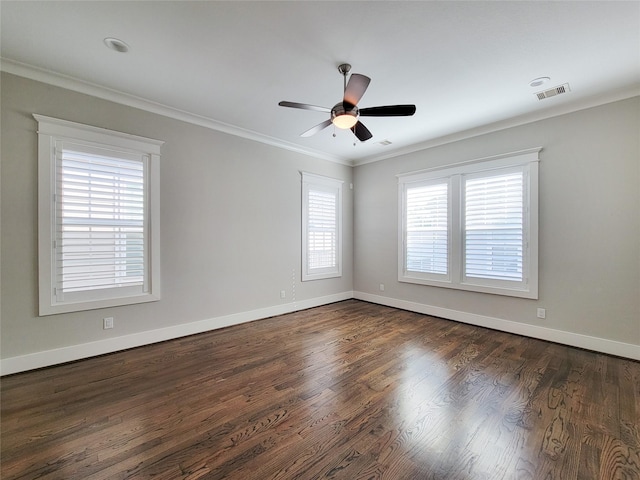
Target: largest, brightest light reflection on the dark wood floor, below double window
x: 439, y: 414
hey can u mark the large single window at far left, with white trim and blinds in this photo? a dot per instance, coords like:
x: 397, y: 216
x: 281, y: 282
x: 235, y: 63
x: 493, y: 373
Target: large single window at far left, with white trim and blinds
x: 98, y: 217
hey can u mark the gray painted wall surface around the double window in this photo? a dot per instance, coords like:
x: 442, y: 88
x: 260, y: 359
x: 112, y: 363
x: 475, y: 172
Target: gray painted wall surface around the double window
x: 589, y: 223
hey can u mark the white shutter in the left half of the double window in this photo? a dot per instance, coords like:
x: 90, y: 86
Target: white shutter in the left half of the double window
x: 427, y: 249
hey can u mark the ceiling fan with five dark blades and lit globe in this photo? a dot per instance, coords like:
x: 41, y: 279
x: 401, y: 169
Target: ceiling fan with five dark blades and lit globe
x: 345, y: 114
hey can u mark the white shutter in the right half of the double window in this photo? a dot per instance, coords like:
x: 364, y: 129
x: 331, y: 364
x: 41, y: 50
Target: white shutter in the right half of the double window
x: 494, y: 226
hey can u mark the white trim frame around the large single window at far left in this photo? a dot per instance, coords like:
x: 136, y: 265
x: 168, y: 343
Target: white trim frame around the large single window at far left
x: 52, y: 130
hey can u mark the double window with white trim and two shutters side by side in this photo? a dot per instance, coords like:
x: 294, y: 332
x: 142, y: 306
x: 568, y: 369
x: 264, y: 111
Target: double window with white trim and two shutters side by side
x: 472, y: 226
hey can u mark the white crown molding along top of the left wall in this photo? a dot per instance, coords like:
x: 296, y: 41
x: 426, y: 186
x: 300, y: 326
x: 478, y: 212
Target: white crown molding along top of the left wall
x: 70, y: 83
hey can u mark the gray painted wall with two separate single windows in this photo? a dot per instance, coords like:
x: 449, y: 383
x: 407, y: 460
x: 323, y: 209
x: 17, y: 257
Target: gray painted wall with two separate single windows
x: 230, y: 222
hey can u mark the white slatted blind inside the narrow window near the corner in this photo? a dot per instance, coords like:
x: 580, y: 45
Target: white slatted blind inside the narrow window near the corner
x: 322, y: 229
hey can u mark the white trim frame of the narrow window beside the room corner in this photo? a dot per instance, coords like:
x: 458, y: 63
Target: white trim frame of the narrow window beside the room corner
x: 310, y: 180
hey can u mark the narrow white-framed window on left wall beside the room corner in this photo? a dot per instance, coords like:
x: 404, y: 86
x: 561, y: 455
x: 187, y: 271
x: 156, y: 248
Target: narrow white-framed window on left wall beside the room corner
x: 321, y: 227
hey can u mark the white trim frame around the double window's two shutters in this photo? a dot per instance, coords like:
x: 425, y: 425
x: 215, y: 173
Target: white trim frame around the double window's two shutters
x: 526, y: 159
